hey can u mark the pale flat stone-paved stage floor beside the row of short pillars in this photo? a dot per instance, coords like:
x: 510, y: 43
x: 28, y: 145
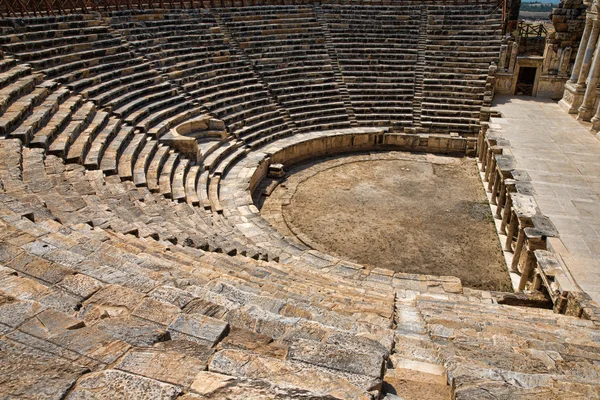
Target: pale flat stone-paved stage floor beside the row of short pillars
x: 562, y: 158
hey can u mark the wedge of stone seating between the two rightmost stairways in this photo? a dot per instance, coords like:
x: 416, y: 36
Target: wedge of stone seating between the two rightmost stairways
x: 376, y: 48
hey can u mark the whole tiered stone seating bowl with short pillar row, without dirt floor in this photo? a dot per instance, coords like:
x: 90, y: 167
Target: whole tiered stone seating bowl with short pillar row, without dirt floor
x: 134, y: 262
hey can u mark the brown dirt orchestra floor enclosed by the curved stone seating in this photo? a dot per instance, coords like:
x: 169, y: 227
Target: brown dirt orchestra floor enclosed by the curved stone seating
x: 413, y: 213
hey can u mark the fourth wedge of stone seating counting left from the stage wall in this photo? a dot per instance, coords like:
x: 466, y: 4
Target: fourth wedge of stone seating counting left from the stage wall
x: 179, y: 44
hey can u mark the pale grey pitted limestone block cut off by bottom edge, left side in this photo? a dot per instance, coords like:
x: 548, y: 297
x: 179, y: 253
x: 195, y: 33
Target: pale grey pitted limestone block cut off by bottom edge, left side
x: 118, y: 385
